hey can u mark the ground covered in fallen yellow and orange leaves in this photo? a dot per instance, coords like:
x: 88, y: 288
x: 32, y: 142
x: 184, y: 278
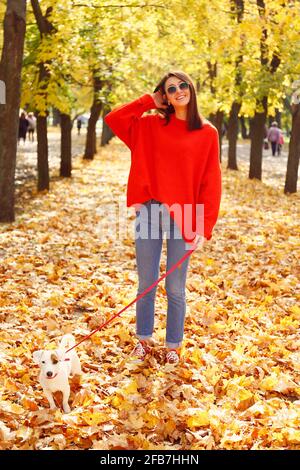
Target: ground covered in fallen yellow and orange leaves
x: 238, y: 384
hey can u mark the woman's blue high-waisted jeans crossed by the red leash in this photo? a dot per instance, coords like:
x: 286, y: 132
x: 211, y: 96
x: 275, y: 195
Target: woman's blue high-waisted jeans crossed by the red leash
x: 151, y: 223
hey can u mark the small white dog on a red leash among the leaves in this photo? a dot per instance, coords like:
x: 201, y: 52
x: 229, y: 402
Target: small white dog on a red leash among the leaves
x: 56, y: 366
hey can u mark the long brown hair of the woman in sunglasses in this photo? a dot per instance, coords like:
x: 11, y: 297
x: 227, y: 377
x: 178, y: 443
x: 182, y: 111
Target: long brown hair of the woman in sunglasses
x: 194, y: 118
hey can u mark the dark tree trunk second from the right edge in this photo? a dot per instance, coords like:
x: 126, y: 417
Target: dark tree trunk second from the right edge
x: 257, y: 139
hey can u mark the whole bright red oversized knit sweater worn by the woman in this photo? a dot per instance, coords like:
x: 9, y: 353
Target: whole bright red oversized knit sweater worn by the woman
x: 171, y: 164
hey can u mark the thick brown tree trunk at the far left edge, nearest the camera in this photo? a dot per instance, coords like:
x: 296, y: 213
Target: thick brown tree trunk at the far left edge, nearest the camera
x: 10, y: 75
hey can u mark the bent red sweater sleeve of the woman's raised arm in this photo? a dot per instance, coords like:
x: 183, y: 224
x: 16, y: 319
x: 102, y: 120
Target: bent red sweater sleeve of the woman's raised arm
x: 124, y: 120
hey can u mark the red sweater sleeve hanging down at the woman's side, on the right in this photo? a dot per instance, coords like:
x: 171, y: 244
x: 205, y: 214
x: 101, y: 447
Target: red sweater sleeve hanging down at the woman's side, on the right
x: 211, y: 187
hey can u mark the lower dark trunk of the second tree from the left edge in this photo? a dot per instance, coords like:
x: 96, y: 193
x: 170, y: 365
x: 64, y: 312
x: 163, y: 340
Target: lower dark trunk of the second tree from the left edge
x: 42, y: 149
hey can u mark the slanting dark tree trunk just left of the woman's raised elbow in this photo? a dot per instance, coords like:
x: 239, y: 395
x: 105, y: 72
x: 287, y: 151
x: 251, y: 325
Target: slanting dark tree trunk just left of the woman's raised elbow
x: 90, y: 145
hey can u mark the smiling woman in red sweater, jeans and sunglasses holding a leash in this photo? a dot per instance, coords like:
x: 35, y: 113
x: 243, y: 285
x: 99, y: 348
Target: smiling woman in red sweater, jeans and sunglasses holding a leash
x: 174, y: 164
